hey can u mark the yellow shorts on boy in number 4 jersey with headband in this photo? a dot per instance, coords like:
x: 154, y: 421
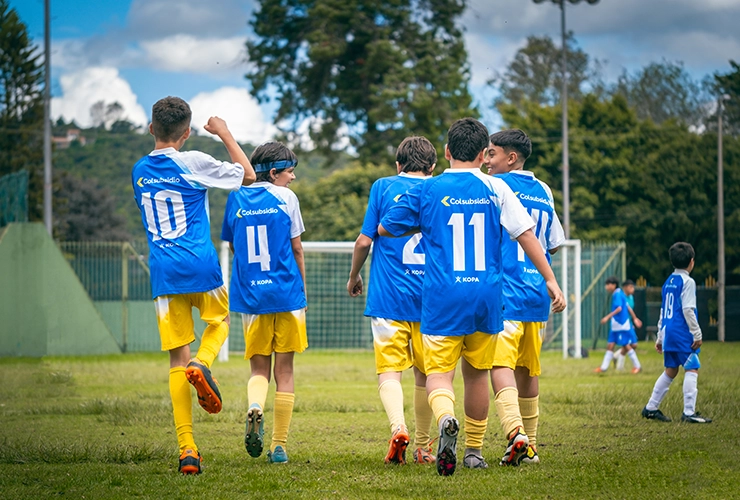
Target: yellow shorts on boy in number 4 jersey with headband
x: 274, y: 332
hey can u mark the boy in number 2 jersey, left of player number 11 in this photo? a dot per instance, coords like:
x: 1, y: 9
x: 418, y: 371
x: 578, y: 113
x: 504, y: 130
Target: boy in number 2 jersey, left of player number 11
x: 394, y: 300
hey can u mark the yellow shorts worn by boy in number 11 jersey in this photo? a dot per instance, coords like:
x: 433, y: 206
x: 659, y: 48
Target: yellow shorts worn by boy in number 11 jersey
x: 441, y: 353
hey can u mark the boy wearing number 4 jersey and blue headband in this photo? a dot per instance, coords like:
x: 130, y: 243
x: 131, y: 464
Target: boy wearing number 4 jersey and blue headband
x: 263, y: 224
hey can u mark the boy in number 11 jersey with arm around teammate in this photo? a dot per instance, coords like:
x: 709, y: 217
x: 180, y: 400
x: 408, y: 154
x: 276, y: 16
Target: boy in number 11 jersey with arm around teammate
x: 461, y: 215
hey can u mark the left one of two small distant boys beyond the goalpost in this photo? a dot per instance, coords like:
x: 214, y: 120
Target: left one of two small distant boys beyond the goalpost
x: 619, y: 327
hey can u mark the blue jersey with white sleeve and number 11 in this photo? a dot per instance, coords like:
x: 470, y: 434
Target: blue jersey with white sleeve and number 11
x: 461, y: 215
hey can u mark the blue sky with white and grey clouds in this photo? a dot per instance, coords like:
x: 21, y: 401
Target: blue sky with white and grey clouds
x: 137, y: 51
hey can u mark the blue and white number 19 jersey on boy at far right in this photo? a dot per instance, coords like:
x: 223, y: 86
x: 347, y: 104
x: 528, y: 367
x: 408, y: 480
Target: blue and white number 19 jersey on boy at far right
x: 679, y: 294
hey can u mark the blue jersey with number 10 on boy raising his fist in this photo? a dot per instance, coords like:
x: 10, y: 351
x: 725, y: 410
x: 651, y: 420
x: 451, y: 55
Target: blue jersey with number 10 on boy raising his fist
x: 170, y: 188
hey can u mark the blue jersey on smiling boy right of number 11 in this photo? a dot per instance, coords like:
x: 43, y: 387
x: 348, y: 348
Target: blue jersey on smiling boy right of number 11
x: 525, y: 291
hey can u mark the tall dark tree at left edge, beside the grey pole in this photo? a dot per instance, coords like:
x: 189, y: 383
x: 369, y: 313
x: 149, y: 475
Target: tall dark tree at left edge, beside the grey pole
x: 21, y: 106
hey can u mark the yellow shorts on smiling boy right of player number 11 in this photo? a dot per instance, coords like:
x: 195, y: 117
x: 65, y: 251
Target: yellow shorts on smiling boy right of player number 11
x: 519, y: 345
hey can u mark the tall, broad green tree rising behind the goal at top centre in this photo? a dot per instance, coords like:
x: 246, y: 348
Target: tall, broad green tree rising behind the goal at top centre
x: 375, y: 71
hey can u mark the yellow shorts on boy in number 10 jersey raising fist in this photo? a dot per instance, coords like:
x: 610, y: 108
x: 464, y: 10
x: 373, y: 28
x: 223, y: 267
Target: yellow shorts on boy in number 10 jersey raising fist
x: 175, y: 314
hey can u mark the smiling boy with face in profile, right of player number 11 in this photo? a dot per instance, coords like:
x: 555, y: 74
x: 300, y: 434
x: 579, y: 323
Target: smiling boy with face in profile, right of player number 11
x: 516, y: 366
